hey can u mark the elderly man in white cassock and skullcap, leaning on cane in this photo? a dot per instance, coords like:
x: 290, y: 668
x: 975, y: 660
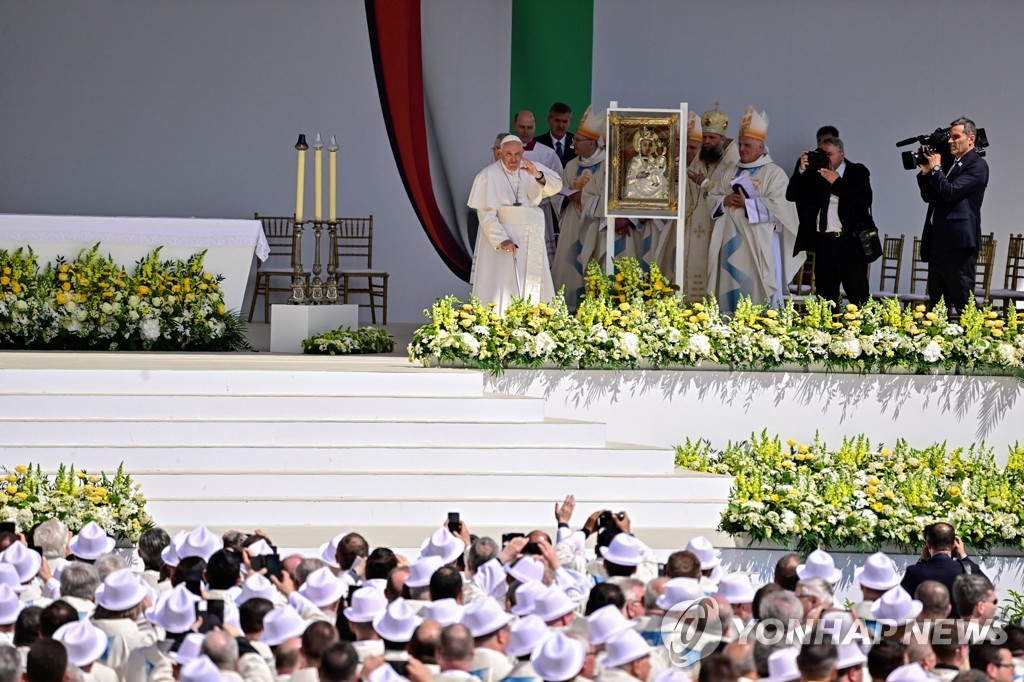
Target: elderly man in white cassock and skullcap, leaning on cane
x: 511, y: 260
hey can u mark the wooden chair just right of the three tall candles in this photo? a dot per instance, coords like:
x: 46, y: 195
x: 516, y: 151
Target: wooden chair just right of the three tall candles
x: 356, y: 242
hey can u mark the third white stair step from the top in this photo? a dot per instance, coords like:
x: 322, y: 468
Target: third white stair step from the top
x: 295, y: 434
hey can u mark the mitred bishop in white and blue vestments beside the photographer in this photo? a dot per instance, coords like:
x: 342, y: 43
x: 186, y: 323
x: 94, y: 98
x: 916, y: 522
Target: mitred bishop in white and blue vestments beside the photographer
x: 755, y: 231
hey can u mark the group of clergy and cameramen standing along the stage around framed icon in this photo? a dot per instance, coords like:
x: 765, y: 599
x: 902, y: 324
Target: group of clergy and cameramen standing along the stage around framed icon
x: 748, y: 227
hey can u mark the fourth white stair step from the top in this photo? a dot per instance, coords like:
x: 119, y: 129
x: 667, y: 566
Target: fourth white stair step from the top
x: 612, y: 459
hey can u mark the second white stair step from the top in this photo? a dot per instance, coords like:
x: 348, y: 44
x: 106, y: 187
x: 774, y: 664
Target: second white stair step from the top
x: 346, y: 408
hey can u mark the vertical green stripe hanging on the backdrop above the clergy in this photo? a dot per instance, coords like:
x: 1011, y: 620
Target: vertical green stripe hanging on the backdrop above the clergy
x: 552, y: 58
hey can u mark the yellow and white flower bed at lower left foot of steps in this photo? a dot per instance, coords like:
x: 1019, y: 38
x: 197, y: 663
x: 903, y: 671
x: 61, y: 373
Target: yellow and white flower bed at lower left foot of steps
x: 29, y: 497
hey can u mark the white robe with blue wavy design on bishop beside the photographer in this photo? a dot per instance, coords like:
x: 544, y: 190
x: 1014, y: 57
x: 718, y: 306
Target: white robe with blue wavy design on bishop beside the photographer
x: 752, y: 259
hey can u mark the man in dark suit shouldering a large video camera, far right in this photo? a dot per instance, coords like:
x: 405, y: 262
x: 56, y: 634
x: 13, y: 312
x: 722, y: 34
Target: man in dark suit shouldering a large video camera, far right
x: 953, y: 225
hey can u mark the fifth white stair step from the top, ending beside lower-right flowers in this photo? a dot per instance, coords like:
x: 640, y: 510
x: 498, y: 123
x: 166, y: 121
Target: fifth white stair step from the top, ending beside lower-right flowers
x: 401, y: 487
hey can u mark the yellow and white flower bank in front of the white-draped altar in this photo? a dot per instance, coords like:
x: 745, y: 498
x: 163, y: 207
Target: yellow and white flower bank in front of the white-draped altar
x: 93, y: 303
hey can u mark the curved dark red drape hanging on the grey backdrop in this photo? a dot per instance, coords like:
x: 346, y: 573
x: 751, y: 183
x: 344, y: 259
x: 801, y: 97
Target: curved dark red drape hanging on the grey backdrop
x: 397, y: 46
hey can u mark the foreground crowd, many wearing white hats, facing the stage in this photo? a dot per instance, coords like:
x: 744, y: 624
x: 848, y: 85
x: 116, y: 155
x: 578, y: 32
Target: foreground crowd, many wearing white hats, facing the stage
x: 205, y: 608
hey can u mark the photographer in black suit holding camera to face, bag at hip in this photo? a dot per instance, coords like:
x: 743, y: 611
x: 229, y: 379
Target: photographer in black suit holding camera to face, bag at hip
x: 834, y: 201
